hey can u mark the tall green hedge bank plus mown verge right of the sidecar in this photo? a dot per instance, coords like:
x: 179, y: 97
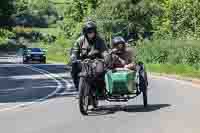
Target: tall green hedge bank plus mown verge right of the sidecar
x: 180, y: 57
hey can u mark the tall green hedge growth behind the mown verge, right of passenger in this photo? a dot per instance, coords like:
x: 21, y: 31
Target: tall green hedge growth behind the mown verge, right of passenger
x: 171, y: 51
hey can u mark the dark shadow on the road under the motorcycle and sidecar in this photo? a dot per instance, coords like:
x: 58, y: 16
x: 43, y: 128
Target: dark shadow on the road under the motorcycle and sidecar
x: 111, y: 109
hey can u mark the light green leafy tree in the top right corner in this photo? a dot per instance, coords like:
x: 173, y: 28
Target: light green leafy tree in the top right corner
x: 178, y: 17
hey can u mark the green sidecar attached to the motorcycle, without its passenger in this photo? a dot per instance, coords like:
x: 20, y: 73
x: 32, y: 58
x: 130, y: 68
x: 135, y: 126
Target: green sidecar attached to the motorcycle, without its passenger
x: 124, y: 84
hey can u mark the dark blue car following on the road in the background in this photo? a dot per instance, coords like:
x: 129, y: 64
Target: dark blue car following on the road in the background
x: 34, y: 55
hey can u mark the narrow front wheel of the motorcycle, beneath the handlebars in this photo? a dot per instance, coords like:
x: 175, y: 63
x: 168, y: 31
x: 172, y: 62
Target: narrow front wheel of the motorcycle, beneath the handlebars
x: 83, y: 96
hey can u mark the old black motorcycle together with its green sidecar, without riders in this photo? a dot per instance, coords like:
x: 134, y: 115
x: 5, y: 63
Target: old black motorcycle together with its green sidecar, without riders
x: 114, y: 85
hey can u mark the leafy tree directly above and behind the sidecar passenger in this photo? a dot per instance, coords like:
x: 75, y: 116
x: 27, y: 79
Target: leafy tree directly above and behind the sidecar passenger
x: 128, y: 18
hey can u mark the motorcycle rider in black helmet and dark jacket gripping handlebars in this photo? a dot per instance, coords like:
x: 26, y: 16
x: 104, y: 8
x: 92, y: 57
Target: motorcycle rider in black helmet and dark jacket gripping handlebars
x: 90, y: 44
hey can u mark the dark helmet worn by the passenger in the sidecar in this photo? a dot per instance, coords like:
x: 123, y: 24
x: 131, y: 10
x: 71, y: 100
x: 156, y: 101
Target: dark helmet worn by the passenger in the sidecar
x: 119, y: 44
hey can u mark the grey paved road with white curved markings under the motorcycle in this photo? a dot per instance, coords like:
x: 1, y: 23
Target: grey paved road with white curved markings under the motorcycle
x: 40, y: 99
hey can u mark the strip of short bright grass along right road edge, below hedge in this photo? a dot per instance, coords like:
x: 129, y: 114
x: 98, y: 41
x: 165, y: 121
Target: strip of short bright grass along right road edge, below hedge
x: 179, y: 69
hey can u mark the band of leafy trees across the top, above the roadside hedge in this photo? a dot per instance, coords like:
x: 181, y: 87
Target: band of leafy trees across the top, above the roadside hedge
x: 130, y: 18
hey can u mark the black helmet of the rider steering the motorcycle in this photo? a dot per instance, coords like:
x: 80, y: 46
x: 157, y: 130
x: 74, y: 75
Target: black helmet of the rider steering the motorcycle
x: 89, y: 27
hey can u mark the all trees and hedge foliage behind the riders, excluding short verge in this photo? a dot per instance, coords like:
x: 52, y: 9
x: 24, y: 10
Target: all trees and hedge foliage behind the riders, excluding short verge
x: 164, y: 22
